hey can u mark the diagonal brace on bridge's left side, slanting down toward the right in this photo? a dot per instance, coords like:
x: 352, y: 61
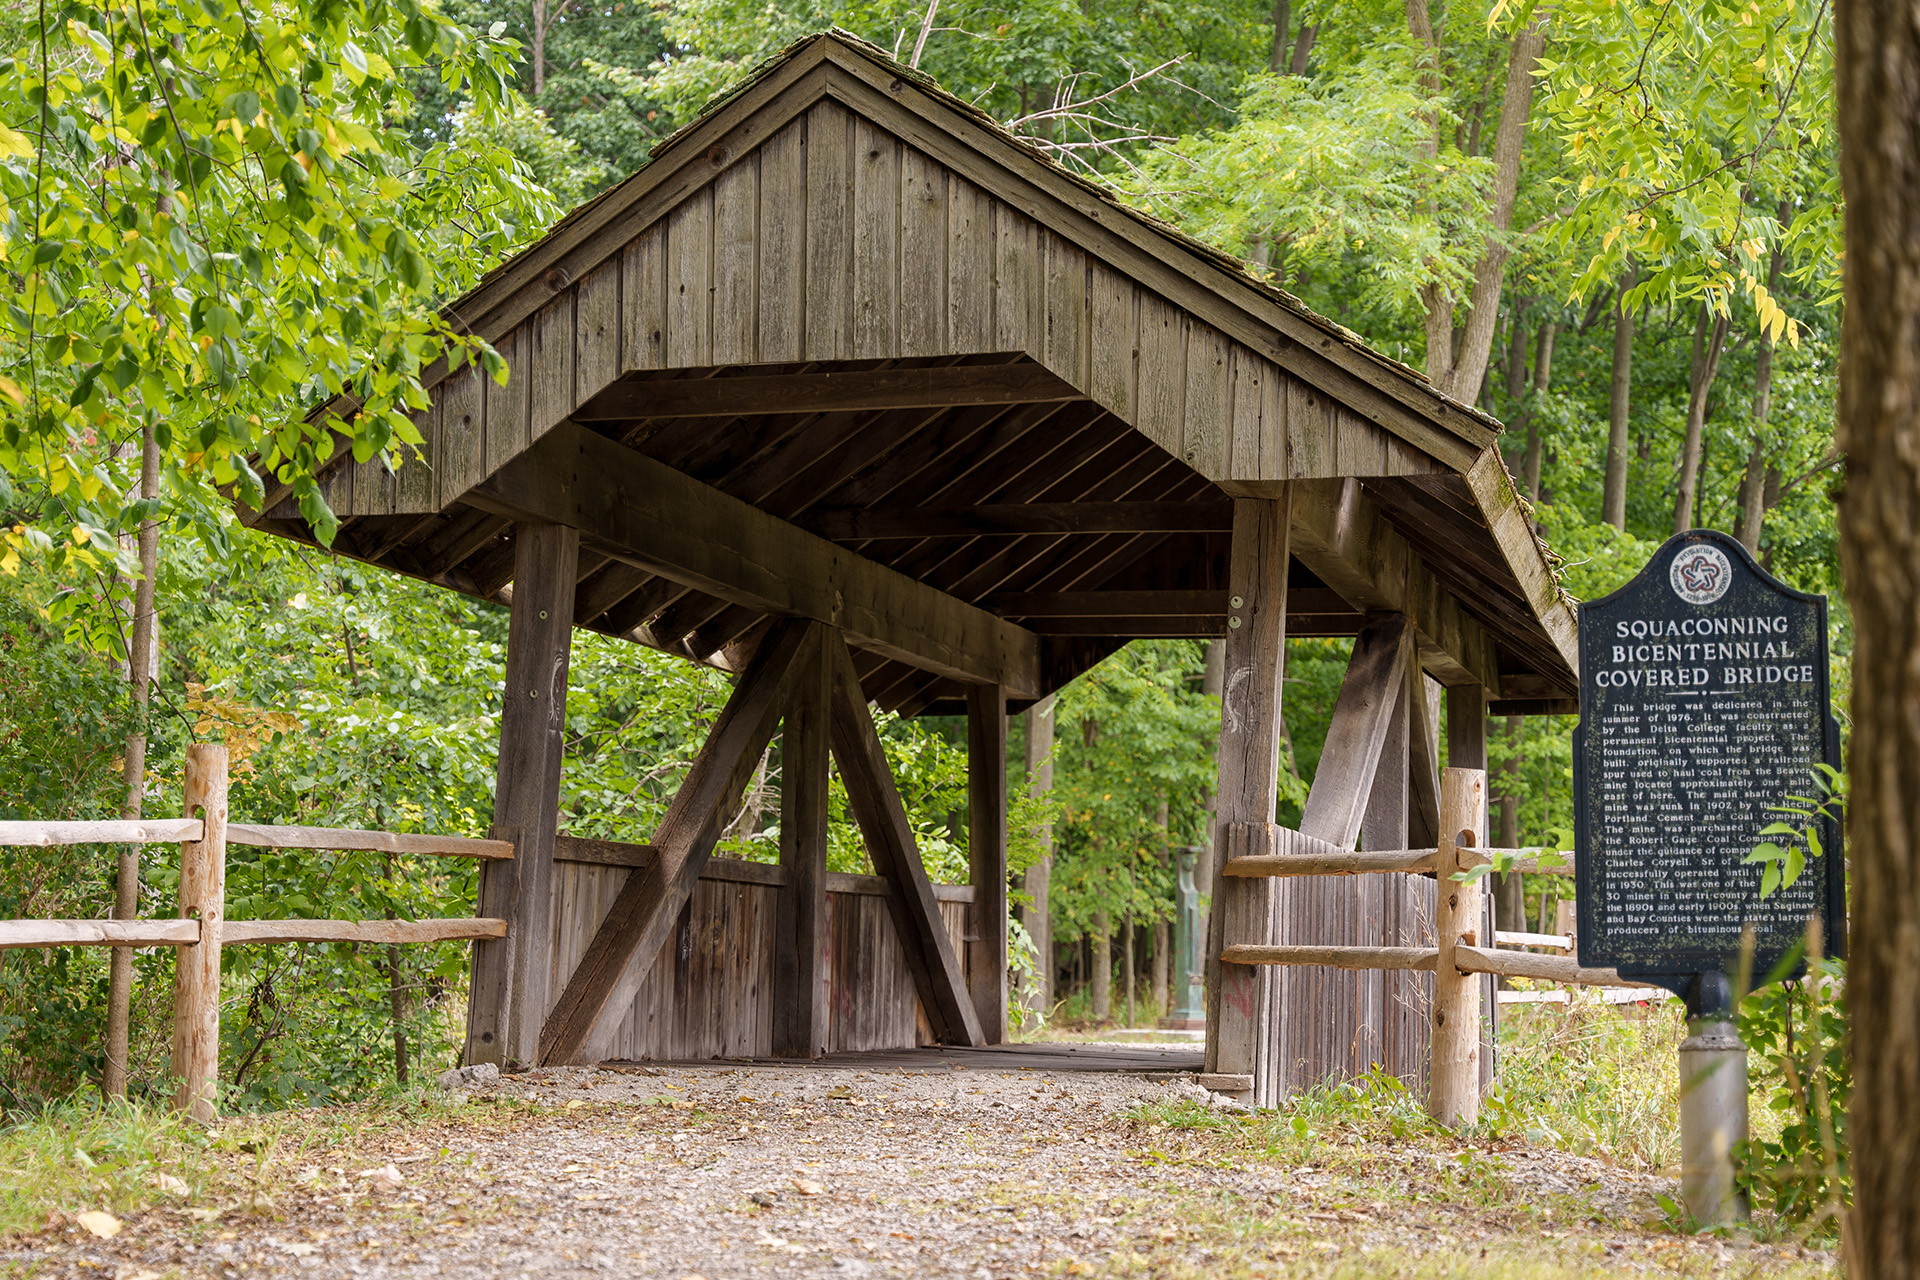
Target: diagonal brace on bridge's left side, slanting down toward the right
x: 890, y: 841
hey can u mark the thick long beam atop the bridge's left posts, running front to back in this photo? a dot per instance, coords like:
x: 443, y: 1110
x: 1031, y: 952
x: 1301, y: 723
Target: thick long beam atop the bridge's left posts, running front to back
x: 654, y: 517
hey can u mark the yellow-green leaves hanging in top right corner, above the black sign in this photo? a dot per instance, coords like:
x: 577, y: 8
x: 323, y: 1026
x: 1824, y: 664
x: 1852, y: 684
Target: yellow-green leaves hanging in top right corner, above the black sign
x: 1685, y: 126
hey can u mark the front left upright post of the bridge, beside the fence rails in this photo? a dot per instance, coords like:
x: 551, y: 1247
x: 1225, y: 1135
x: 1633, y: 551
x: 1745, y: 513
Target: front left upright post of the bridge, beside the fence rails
x: 512, y: 980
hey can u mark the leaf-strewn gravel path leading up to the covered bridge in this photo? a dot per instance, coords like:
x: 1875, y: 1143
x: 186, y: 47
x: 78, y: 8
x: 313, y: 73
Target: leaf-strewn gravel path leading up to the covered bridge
x: 721, y: 1173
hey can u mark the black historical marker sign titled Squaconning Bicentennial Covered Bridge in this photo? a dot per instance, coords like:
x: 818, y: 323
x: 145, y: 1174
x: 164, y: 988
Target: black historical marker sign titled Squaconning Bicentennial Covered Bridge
x: 1704, y: 701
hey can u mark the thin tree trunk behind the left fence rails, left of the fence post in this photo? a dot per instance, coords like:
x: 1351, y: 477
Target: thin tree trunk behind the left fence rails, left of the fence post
x: 143, y: 657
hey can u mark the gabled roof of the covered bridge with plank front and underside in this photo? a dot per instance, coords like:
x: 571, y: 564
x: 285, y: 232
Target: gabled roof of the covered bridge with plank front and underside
x: 838, y: 216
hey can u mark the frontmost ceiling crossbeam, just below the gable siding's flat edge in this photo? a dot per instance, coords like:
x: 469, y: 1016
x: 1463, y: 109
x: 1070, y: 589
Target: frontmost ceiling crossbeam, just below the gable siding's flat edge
x: 827, y: 392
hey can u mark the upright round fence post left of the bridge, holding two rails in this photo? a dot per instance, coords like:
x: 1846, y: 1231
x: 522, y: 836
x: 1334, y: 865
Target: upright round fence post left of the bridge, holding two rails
x: 197, y: 974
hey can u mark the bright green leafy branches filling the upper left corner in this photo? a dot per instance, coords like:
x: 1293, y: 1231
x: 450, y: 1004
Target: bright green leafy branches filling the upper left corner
x: 214, y: 224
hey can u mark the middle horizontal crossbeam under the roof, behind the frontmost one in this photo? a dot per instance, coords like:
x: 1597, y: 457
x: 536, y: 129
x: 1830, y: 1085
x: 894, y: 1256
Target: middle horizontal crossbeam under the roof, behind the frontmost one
x: 1019, y: 519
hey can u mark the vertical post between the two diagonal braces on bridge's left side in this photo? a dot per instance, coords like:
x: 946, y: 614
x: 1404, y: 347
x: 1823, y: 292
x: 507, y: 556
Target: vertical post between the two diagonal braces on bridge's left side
x: 802, y: 976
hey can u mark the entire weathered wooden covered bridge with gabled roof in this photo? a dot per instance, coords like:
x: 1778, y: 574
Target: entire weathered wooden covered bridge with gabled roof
x: 859, y: 396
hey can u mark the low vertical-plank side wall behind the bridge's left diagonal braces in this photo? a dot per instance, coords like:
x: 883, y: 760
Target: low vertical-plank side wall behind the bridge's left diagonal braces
x: 709, y: 991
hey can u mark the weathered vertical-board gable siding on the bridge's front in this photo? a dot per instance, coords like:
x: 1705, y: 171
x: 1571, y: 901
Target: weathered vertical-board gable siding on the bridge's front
x: 834, y: 241
